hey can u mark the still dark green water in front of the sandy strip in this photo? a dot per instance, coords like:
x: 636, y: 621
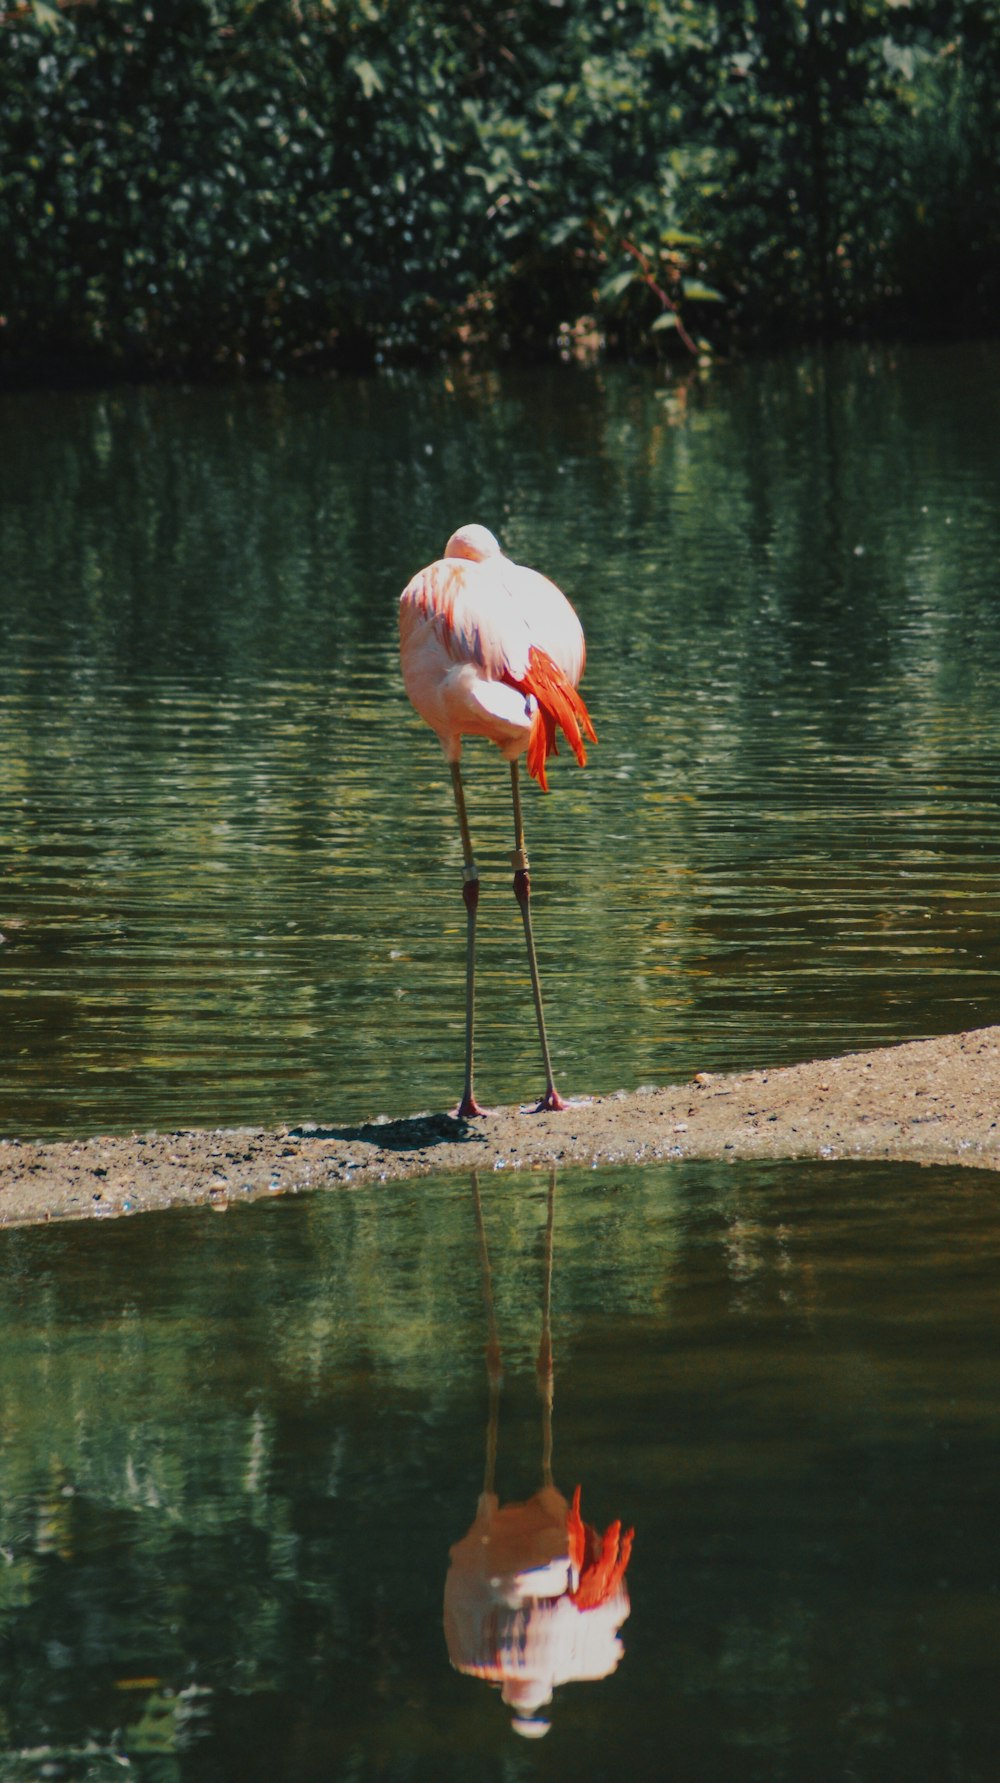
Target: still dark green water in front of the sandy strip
x: 238, y: 1452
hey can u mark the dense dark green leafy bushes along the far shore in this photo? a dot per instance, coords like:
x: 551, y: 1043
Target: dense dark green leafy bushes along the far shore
x: 295, y: 183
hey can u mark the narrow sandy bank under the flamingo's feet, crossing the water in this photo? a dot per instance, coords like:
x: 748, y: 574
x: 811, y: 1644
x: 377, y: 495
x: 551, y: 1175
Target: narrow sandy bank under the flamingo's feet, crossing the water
x: 933, y: 1101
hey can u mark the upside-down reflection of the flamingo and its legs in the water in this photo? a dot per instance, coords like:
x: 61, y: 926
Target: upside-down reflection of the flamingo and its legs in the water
x: 534, y: 1597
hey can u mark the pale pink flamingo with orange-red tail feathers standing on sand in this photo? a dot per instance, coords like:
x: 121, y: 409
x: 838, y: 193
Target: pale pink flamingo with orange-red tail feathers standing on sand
x: 495, y: 650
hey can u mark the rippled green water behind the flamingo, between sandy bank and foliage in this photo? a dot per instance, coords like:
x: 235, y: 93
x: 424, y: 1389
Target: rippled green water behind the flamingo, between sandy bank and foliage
x: 229, y: 864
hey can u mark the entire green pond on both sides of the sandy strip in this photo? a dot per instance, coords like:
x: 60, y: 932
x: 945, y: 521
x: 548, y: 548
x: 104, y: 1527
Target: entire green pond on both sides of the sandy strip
x: 249, y: 1458
